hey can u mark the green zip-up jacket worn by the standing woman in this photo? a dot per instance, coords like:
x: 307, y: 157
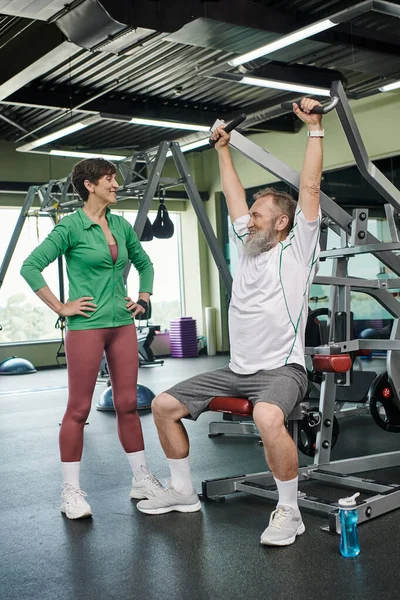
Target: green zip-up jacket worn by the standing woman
x: 90, y: 268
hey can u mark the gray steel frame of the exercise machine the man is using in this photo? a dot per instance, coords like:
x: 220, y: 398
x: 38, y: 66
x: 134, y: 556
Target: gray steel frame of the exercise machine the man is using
x: 333, y: 358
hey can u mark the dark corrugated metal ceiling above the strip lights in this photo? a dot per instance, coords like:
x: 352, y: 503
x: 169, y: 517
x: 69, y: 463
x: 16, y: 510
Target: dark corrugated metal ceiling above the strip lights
x: 163, y: 73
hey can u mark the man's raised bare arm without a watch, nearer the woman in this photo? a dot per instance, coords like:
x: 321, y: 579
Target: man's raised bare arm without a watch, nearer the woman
x: 231, y: 186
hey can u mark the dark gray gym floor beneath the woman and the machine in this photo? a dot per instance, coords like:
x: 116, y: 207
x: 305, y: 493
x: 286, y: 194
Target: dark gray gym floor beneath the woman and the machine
x: 210, y: 555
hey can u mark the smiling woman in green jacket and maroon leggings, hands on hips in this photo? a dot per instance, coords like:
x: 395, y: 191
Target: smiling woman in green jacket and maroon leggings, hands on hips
x: 97, y: 246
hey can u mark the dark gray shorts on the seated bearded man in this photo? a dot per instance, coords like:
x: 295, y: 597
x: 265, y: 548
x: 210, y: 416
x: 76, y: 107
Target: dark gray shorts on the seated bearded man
x: 285, y: 387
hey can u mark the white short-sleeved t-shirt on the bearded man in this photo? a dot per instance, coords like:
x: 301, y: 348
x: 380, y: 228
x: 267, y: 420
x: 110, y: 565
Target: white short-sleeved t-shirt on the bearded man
x: 269, y: 304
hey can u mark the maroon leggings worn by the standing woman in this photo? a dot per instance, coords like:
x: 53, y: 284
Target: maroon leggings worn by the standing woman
x: 84, y: 350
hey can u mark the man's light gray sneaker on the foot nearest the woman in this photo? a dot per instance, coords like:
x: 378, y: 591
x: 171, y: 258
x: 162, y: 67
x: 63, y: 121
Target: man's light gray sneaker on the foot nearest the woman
x: 167, y: 500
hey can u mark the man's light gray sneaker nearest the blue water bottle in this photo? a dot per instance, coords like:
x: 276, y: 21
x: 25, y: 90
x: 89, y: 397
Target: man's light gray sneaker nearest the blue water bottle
x: 285, y: 524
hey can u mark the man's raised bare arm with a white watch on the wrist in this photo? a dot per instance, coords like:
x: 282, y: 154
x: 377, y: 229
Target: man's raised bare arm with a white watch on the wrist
x: 310, y: 178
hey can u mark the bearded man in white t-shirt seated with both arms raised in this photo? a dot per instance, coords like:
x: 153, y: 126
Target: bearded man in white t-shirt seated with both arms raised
x: 277, y: 241
